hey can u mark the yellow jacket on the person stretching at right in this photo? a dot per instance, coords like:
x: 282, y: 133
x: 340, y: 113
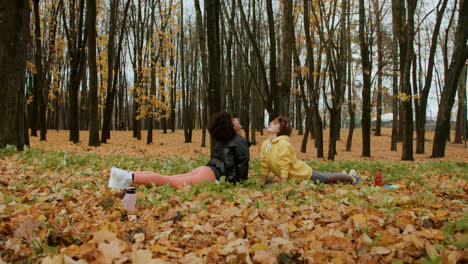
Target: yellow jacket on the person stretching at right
x: 279, y: 157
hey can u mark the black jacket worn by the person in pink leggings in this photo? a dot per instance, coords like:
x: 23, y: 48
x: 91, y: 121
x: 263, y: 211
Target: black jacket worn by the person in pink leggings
x: 231, y: 159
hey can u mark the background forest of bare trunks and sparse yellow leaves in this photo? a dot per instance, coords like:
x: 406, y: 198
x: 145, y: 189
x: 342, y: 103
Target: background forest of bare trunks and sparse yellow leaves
x: 323, y: 64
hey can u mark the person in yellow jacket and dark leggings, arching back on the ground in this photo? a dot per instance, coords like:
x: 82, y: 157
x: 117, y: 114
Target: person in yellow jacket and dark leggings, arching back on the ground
x: 279, y: 157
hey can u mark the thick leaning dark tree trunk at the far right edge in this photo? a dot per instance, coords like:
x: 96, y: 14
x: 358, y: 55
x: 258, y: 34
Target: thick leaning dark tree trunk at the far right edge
x: 459, y: 57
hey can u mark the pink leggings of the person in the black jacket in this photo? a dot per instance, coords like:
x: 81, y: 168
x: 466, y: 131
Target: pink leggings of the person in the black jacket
x: 198, y: 175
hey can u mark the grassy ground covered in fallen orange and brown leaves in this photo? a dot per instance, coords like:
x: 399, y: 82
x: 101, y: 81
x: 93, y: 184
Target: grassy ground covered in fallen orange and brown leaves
x: 55, y: 208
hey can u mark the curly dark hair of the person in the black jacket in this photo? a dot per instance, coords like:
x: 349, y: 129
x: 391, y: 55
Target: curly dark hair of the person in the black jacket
x: 221, y: 127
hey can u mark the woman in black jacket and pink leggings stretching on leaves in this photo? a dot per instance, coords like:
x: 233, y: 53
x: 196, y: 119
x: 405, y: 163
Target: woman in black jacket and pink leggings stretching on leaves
x: 229, y: 158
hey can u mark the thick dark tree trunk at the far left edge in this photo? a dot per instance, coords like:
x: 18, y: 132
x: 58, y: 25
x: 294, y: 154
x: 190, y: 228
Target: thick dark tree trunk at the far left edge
x: 14, y: 25
